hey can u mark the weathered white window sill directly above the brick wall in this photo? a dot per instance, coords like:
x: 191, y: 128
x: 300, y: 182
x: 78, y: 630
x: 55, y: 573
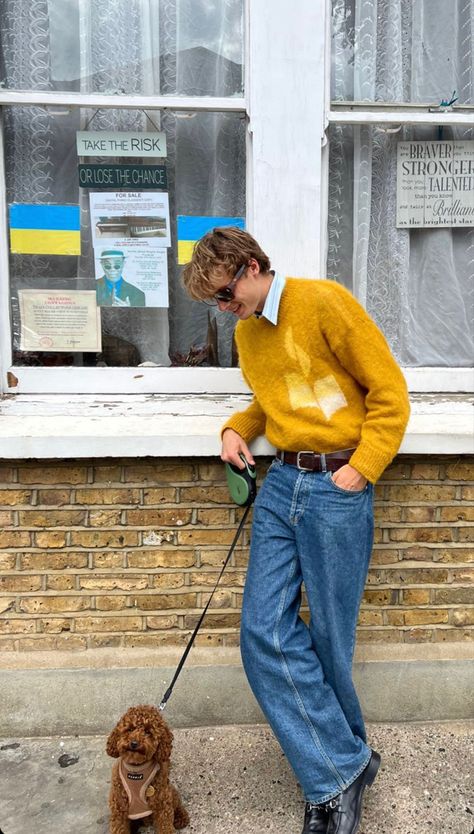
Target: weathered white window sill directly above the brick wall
x: 158, y: 425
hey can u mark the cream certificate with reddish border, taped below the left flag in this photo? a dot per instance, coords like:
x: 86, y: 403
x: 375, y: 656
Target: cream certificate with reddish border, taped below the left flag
x: 59, y: 321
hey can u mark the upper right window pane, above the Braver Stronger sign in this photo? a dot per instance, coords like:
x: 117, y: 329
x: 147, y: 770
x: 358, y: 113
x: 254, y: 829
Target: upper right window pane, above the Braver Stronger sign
x: 402, y: 50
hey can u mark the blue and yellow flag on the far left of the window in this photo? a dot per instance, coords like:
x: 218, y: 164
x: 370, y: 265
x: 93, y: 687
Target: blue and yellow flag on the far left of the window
x: 37, y: 229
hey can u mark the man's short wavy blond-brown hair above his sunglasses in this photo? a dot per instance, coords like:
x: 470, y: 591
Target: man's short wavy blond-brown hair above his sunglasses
x: 224, y: 249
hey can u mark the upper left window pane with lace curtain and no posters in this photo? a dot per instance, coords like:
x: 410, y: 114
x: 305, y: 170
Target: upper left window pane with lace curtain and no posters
x: 148, y: 47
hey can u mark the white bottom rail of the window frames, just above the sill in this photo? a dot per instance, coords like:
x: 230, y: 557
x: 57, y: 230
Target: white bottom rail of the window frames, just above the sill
x: 195, y: 380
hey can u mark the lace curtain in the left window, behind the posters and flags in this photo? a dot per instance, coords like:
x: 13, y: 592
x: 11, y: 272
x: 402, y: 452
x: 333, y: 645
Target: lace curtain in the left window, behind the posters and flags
x: 147, y: 47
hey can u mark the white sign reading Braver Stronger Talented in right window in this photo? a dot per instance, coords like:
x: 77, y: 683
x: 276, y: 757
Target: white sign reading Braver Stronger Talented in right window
x: 435, y: 184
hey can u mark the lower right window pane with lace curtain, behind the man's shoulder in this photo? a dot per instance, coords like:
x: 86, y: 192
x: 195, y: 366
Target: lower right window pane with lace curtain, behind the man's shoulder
x: 416, y: 283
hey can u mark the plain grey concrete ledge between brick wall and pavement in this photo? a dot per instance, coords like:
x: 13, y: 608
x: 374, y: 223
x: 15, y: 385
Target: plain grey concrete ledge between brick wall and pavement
x: 85, y: 692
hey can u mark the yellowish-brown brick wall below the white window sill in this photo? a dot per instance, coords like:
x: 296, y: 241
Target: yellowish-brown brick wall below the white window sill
x: 97, y: 554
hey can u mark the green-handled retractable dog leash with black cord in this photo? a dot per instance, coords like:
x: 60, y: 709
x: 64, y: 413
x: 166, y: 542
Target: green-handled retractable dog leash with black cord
x: 242, y: 485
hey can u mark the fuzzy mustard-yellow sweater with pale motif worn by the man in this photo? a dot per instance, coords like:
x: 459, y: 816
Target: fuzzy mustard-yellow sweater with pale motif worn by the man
x: 323, y: 378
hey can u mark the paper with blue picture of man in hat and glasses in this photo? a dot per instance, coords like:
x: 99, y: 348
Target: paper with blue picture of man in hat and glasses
x: 128, y: 277
